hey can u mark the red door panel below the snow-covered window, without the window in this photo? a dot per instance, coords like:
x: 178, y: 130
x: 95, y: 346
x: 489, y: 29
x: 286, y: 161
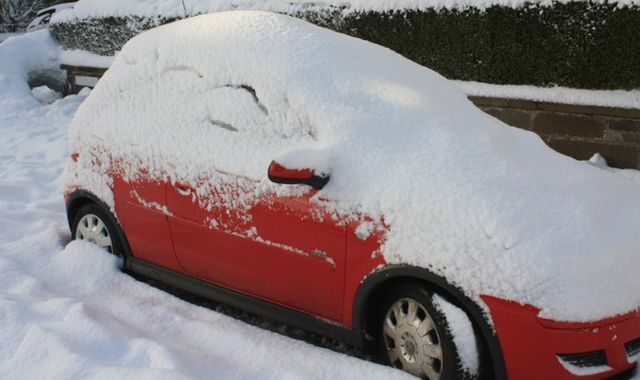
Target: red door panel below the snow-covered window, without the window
x: 284, y: 249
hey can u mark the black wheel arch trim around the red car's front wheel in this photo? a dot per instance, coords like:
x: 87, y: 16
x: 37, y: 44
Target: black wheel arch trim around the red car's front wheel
x: 392, y: 275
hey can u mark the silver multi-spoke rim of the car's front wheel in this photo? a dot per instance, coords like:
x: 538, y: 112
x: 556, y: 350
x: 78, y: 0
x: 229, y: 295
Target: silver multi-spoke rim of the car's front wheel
x: 411, y: 339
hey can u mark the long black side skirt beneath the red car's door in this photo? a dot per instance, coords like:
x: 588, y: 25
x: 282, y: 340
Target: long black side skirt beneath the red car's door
x: 250, y: 304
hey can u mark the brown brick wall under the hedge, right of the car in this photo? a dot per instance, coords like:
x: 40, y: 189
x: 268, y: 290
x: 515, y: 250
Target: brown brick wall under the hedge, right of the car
x: 577, y: 131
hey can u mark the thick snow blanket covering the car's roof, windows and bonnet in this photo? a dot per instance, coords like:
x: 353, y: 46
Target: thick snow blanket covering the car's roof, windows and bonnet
x: 487, y: 206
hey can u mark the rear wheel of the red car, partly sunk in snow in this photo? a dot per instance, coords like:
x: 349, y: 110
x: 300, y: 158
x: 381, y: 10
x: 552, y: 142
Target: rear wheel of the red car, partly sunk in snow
x: 98, y: 226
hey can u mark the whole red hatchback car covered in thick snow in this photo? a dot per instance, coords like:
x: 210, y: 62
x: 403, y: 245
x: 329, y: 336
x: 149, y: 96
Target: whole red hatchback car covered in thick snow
x: 330, y: 183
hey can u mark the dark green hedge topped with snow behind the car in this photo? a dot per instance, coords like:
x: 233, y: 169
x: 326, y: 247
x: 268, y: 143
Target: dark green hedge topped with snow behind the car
x: 576, y: 44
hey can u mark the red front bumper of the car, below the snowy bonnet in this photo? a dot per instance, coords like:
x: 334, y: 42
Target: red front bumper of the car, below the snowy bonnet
x: 536, y: 348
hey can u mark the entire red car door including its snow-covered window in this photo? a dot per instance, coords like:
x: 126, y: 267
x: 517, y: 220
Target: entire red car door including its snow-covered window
x: 233, y: 228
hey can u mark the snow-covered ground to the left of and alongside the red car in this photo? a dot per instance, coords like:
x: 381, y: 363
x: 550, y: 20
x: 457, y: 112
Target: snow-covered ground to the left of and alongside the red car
x: 68, y: 312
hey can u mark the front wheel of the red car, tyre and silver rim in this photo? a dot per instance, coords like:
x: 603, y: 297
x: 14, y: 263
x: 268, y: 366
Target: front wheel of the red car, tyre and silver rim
x: 424, y: 347
